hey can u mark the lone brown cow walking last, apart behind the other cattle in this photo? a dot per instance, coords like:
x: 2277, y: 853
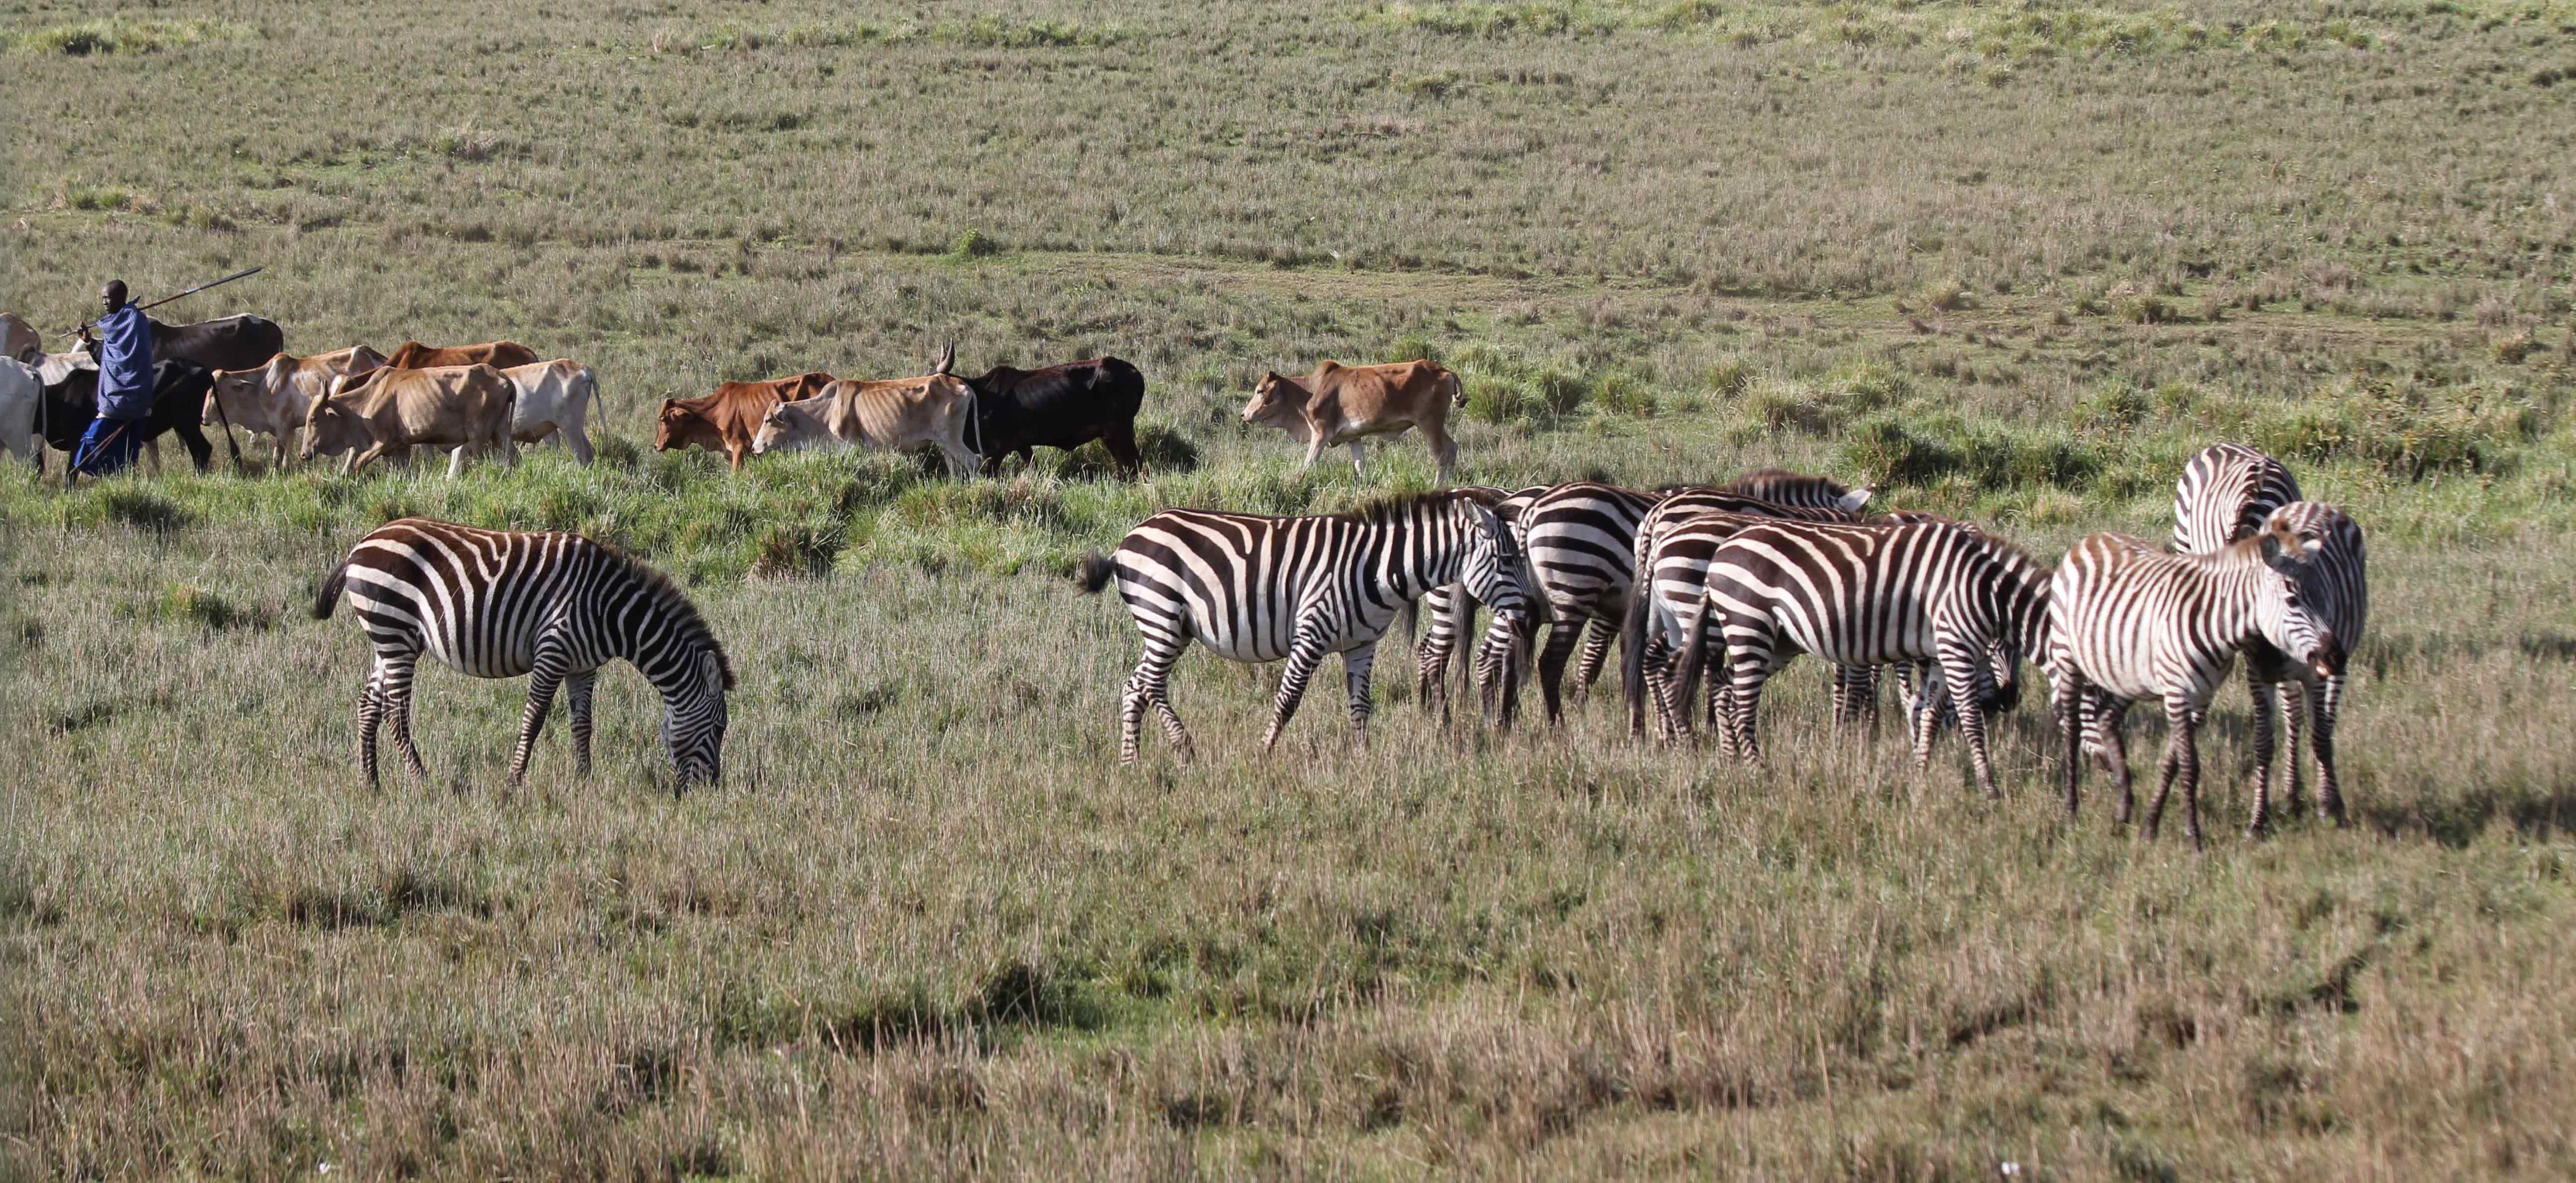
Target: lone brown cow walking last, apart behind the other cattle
x: 1351, y: 403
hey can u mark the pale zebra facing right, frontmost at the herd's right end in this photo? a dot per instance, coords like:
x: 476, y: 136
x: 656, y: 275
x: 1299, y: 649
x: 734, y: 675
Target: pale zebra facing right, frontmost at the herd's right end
x: 2134, y: 622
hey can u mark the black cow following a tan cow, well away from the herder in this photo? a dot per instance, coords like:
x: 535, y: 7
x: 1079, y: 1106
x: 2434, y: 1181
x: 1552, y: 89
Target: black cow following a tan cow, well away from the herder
x: 1057, y: 409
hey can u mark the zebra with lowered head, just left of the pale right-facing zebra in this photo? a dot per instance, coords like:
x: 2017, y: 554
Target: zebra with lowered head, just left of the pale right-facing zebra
x: 1918, y: 594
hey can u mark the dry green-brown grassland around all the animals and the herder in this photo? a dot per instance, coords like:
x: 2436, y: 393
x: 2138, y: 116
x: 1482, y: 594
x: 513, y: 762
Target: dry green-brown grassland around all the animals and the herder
x: 2000, y: 259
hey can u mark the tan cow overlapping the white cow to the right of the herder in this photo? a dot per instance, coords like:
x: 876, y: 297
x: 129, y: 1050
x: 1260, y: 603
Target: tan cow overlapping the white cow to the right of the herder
x: 462, y: 409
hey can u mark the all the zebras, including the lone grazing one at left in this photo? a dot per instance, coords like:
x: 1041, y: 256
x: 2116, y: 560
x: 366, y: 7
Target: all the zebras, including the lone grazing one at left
x: 1735, y: 579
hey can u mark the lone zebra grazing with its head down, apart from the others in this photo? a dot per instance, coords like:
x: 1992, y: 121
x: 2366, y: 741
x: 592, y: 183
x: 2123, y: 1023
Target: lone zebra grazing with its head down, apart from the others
x: 553, y: 607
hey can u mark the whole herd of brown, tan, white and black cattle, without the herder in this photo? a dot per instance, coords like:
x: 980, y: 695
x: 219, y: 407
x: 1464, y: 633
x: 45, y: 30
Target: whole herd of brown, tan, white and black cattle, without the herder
x: 491, y: 398
